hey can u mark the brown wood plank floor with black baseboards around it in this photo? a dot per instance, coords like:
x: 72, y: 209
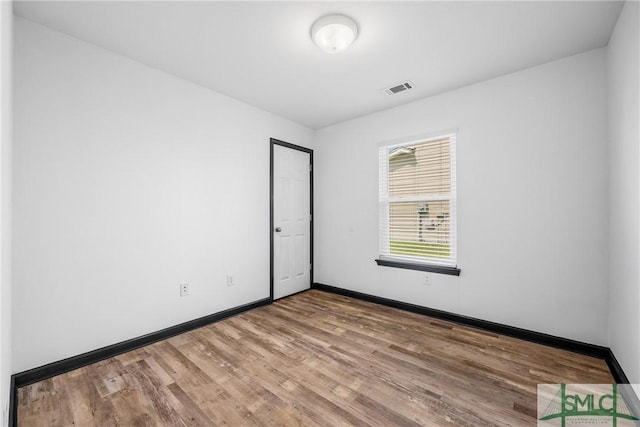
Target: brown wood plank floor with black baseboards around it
x: 313, y: 359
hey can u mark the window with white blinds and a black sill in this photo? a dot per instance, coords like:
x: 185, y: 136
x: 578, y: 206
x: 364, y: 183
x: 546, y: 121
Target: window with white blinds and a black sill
x: 418, y: 205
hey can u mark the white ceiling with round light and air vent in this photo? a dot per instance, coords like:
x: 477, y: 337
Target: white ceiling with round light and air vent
x: 261, y: 52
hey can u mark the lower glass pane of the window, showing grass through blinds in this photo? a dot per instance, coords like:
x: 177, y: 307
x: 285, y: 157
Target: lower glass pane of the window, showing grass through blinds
x: 420, y: 229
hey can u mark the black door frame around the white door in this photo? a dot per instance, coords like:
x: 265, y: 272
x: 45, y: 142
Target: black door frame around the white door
x: 274, y: 142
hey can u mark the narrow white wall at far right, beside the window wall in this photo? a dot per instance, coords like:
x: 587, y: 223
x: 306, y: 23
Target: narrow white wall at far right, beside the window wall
x: 624, y: 240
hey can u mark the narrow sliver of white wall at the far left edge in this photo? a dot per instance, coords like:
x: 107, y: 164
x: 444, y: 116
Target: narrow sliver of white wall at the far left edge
x: 6, y: 52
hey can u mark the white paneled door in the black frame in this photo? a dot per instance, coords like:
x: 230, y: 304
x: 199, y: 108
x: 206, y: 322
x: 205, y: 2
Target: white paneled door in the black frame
x: 291, y: 221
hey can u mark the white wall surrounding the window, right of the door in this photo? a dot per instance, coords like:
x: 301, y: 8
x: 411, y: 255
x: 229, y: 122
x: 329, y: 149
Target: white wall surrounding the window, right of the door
x: 532, y: 200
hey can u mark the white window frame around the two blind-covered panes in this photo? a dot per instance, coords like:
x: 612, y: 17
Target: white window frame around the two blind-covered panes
x: 386, y: 259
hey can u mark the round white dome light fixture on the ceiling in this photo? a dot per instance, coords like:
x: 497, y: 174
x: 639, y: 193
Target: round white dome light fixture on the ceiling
x: 334, y: 33
